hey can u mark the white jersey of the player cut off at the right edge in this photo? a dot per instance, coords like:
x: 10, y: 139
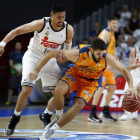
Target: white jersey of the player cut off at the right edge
x: 137, y: 61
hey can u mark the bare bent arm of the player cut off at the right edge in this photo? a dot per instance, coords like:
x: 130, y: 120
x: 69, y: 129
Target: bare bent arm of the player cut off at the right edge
x: 132, y: 60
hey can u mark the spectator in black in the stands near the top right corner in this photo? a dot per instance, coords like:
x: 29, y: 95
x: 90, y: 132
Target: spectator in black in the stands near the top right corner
x: 133, y: 23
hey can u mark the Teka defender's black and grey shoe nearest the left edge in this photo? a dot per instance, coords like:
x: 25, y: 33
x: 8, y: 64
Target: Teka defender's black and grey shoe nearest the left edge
x: 10, y: 127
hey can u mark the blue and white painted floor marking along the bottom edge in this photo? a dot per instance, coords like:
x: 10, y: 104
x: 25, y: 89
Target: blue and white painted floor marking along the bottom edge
x: 33, y: 134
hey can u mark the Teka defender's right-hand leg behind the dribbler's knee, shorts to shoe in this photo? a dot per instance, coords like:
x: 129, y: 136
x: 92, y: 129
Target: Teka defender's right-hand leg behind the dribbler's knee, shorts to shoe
x: 49, y: 81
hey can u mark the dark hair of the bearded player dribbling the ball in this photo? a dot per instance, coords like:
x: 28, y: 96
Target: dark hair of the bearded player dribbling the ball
x: 97, y: 43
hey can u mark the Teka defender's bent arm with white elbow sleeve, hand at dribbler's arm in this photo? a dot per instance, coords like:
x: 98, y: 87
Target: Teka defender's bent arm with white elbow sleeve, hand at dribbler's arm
x: 67, y: 44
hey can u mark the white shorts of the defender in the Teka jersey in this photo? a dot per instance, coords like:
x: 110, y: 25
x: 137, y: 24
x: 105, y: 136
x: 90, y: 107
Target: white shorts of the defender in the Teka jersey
x: 49, y: 74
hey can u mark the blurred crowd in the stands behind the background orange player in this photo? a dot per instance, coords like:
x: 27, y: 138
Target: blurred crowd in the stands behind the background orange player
x: 127, y: 34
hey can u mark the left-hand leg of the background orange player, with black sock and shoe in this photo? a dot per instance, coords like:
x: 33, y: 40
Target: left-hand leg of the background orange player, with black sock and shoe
x: 93, y: 116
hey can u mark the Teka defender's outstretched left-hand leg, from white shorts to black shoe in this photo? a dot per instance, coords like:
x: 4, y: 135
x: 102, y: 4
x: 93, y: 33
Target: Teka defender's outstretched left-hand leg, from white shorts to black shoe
x: 27, y: 84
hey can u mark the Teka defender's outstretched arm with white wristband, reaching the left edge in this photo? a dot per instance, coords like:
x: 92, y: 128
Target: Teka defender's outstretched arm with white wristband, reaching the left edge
x: 36, y: 25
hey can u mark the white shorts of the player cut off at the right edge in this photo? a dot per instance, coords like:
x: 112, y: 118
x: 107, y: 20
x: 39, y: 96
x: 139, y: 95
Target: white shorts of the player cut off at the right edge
x: 136, y: 81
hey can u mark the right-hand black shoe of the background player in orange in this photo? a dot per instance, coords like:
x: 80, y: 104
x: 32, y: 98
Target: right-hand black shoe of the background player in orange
x: 106, y: 114
